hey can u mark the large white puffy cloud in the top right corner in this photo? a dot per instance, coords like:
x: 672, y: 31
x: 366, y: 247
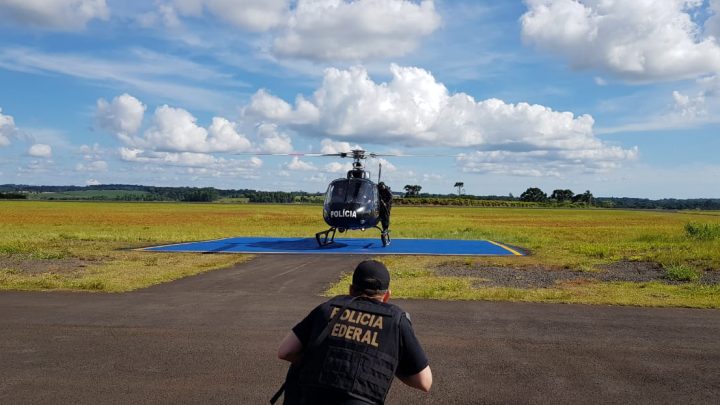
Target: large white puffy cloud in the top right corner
x: 641, y: 41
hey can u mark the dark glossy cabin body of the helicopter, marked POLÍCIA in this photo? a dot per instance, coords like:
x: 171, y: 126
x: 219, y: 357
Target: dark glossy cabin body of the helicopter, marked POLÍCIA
x: 351, y: 203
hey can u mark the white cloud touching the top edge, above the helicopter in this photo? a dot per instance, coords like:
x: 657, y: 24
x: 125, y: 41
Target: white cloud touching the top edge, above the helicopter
x: 355, y: 30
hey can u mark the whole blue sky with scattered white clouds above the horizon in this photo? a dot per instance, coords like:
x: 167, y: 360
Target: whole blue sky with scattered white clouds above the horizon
x: 621, y: 98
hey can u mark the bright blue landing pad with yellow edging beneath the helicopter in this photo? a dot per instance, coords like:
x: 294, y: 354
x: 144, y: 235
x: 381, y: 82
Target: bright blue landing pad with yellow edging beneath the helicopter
x: 344, y: 246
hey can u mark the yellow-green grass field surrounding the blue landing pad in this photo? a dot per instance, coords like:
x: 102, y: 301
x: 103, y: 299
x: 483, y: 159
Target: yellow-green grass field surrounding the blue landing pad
x: 86, y: 246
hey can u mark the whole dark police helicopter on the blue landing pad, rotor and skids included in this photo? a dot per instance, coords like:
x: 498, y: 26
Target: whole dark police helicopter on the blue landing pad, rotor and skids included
x: 355, y: 202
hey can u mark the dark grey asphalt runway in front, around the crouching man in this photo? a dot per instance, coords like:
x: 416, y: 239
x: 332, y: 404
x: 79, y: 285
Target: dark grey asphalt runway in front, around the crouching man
x: 211, y: 339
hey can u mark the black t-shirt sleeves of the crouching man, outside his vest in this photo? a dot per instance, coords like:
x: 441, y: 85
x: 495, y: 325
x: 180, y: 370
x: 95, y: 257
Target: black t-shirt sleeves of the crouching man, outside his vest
x: 412, y: 358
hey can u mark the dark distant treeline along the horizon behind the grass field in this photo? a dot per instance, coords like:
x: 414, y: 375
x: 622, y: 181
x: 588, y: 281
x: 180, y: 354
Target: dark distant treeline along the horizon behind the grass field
x: 125, y: 192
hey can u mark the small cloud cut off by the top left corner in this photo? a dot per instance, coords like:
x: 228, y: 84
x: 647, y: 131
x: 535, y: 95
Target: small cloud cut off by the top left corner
x: 61, y: 15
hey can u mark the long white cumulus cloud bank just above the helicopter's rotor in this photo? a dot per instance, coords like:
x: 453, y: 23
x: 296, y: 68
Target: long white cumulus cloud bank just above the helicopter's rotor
x: 416, y: 110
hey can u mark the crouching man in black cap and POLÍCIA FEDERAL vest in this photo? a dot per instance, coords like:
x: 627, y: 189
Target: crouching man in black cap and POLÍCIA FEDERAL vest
x: 347, y: 349
